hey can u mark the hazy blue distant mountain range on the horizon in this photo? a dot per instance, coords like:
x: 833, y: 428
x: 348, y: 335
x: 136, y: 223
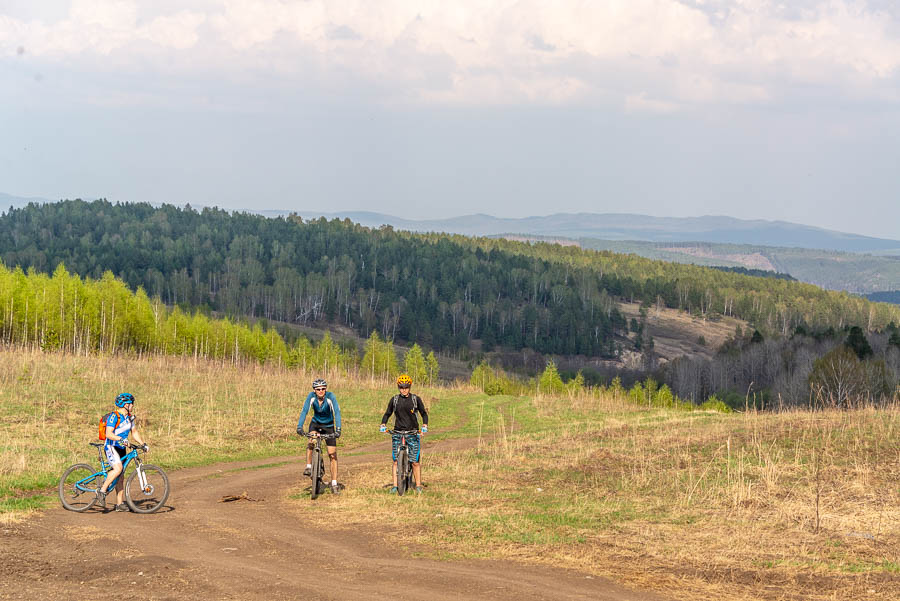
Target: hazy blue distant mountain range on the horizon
x: 624, y: 226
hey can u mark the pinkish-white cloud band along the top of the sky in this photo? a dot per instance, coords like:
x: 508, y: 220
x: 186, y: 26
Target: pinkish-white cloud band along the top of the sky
x: 656, y: 55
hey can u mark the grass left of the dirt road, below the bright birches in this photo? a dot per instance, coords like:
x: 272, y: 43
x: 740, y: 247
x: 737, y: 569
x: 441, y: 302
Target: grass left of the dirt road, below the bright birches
x: 191, y: 412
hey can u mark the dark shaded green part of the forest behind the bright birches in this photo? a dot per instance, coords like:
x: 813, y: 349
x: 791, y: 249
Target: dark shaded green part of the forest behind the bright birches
x: 434, y: 290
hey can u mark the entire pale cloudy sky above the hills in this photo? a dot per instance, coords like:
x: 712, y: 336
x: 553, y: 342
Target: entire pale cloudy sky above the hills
x: 426, y: 109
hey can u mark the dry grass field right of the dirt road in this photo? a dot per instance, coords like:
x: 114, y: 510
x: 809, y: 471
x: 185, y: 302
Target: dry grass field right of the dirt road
x: 697, y: 505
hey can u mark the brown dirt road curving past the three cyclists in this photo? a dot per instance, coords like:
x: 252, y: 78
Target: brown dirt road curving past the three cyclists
x: 200, y: 548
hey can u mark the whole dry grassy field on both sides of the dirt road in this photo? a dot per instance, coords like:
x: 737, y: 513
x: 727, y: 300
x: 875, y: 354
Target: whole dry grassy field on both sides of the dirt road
x: 691, y: 504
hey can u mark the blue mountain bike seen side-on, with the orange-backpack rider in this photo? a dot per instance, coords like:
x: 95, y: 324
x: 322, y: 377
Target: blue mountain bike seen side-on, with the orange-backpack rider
x: 146, y: 489
